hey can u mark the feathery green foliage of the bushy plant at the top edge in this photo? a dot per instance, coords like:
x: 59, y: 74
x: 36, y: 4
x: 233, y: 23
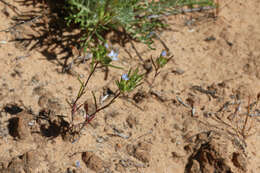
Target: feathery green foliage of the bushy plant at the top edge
x: 137, y: 18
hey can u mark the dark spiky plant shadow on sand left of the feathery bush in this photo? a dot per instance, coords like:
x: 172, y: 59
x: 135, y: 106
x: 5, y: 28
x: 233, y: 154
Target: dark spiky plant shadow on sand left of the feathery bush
x: 50, y: 35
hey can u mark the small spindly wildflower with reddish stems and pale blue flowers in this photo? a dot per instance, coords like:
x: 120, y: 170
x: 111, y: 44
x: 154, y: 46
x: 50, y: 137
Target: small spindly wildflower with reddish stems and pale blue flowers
x: 127, y: 83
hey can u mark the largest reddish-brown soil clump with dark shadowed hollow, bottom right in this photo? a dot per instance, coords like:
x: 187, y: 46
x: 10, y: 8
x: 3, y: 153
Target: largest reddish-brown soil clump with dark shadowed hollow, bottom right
x: 211, y: 154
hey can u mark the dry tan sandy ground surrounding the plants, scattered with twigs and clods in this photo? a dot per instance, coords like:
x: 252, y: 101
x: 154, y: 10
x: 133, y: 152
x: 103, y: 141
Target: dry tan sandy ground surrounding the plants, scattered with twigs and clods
x: 192, y: 121
